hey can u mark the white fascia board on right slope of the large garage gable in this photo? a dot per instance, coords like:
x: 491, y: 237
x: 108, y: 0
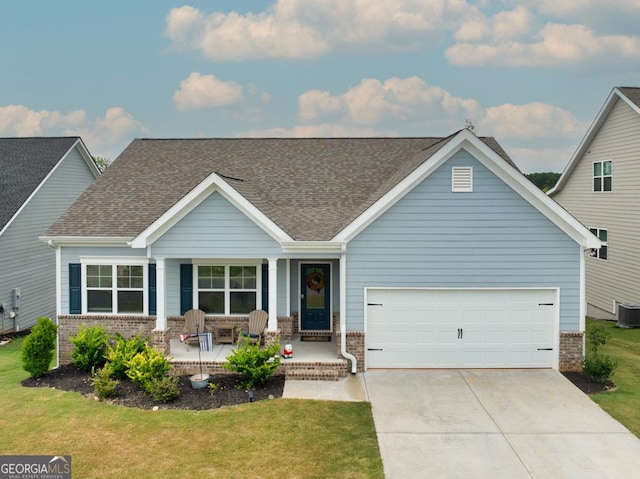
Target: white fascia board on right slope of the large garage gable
x: 533, y: 195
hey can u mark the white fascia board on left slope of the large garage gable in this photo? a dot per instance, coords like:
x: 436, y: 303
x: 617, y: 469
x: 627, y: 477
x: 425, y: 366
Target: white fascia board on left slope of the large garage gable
x: 401, y: 189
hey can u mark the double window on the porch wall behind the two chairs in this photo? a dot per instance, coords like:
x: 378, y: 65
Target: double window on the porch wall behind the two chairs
x: 227, y: 289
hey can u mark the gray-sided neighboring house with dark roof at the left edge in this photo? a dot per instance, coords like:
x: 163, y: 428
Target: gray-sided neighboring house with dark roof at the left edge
x: 39, y: 179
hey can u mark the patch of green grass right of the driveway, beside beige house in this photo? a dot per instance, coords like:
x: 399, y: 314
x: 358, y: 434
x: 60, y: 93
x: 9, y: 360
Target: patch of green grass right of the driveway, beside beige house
x: 623, y: 403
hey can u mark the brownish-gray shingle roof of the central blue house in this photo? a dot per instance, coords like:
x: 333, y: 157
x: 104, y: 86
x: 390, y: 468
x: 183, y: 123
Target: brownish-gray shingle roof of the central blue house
x: 310, y: 187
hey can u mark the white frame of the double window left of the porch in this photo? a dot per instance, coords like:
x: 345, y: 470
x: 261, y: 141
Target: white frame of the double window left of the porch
x: 114, y: 263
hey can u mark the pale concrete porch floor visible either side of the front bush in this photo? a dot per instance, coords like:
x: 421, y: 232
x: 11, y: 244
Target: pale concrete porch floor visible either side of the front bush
x: 303, y: 352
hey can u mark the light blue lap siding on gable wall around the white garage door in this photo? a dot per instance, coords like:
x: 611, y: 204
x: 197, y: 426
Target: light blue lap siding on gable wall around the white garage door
x: 488, y: 238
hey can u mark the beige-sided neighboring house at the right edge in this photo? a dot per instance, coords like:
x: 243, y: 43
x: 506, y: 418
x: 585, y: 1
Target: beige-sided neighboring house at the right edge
x: 599, y: 187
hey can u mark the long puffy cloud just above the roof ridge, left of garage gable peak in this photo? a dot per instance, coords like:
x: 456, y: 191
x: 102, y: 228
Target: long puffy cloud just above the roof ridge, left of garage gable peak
x: 394, y: 100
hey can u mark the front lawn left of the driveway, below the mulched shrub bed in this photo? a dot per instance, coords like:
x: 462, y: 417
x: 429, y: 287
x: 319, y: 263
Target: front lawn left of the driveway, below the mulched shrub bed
x: 268, y: 439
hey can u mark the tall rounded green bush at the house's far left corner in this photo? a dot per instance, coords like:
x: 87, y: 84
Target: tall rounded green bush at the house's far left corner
x: 39, y: 347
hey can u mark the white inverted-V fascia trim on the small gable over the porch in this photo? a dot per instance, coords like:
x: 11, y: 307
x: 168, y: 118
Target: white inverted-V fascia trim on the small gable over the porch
x: 211, y: 184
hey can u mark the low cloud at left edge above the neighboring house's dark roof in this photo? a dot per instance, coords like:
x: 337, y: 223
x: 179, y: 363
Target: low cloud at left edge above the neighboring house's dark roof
x: 106, y: 136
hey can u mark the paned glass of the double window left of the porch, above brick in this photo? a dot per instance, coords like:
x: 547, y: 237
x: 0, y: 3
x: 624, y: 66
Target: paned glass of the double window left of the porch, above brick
x: 115, y: 288
